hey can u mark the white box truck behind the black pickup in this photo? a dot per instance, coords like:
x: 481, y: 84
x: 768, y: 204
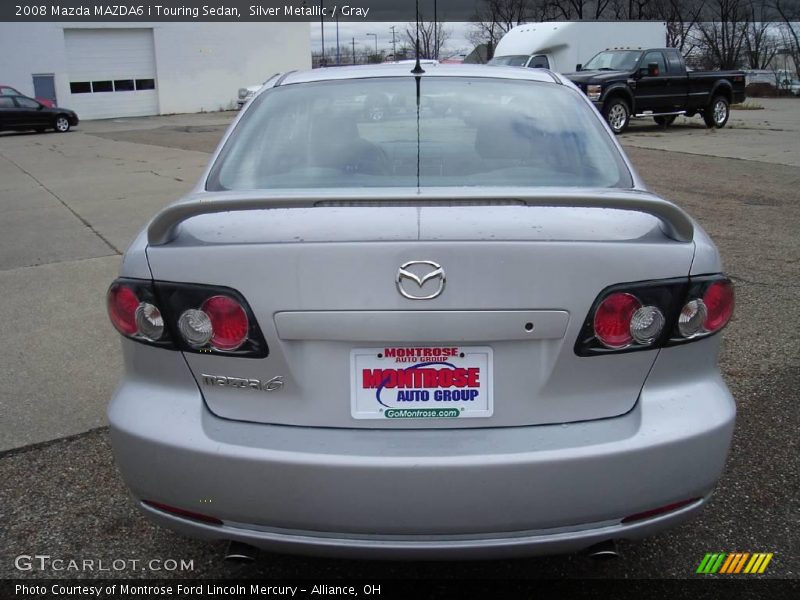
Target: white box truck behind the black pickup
x: 561, y: 46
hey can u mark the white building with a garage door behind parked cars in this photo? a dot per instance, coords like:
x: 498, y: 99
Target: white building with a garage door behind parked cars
x: 102, y: 70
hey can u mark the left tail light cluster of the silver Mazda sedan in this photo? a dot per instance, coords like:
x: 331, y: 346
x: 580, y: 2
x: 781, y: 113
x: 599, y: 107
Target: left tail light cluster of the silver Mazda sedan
x: 187, y: 317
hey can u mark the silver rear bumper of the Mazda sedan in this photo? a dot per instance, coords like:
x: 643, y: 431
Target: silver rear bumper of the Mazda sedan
x: 423, y: 493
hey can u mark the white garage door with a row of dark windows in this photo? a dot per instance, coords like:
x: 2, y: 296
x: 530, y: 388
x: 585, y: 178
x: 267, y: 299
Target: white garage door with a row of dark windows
x: 112, y: 72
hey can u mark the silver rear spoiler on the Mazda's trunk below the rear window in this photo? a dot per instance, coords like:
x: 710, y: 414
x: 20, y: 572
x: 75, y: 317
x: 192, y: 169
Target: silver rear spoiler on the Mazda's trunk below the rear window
x: 676, y: 223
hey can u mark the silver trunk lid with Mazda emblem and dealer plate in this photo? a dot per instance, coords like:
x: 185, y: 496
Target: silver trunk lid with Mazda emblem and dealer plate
x: 518, y: 283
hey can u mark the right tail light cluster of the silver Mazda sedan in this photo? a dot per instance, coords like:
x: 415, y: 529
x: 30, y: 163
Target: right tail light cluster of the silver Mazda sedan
x: 654, y: 314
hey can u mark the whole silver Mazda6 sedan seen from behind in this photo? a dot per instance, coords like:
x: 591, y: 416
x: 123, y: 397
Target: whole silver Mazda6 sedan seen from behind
x: 463, y: 330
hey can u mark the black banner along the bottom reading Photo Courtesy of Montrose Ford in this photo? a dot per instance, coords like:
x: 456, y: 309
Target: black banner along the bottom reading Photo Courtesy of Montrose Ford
x: 730, y: 588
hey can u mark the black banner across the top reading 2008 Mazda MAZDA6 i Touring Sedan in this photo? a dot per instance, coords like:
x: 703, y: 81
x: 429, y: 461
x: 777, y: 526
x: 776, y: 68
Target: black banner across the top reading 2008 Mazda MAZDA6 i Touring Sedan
x: 365, y: 10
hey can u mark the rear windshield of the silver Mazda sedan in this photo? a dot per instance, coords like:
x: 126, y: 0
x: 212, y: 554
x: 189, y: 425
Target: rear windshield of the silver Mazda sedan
x: 384, y: 132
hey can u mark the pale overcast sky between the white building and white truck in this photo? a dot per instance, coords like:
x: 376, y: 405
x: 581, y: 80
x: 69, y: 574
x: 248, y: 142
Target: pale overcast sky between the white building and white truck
x: 347, y: 31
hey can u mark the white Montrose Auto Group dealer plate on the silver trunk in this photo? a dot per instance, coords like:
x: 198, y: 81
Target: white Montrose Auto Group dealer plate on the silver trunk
x: 421, y: 382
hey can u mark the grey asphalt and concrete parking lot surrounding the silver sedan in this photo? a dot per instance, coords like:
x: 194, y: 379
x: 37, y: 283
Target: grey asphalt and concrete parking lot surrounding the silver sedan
x: 72, y: 202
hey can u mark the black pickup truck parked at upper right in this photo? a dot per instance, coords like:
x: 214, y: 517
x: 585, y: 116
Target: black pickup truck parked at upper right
x: 654, y: 83
